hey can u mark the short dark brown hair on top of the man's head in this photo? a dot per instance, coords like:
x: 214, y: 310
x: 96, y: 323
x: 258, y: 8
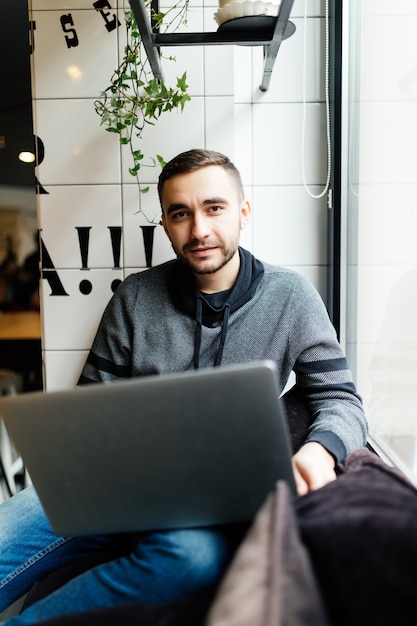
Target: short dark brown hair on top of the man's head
x: 195, y: 159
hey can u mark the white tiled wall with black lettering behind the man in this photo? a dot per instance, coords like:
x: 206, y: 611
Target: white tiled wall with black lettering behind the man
x: 86, y: 173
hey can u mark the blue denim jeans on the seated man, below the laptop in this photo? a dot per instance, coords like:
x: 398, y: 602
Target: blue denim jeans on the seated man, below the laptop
x: 162, y: 566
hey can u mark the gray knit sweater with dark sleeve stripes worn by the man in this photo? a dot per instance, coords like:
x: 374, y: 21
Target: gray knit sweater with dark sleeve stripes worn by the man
x: 143, y: 333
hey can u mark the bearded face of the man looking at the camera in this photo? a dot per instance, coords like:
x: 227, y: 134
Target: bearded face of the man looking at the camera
x: 203, y: 216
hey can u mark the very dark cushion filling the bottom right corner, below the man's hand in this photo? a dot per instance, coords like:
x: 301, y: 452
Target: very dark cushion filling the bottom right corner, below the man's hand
x: 361, y: 534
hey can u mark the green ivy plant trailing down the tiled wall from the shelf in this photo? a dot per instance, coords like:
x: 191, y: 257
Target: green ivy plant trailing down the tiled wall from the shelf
x: 135, y: 98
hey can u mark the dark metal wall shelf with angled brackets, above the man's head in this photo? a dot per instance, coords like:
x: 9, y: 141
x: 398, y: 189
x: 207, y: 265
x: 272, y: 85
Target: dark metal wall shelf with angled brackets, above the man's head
x: 265, y: 31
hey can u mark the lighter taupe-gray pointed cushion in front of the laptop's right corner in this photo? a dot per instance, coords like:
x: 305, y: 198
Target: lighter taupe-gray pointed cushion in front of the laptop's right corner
x: 270, y: 581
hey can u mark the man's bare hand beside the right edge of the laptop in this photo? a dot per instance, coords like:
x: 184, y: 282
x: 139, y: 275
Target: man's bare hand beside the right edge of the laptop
x: 313, y: 467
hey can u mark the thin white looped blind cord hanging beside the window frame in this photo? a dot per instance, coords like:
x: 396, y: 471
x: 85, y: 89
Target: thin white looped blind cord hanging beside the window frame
x: 326, y: 78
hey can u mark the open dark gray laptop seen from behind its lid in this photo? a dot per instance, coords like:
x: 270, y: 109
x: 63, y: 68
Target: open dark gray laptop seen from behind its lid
x: 196, y: 448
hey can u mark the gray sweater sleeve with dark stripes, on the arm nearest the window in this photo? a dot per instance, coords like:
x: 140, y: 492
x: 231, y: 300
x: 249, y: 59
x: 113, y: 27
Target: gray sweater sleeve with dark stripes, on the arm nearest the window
x: 323, y: 376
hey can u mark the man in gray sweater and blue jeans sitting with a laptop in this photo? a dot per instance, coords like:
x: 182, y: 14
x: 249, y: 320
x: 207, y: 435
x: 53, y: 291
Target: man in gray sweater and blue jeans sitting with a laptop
x: 215, y: 305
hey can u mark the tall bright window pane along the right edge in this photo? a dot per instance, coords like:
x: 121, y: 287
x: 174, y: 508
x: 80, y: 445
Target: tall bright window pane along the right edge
x: 379, y: 205
